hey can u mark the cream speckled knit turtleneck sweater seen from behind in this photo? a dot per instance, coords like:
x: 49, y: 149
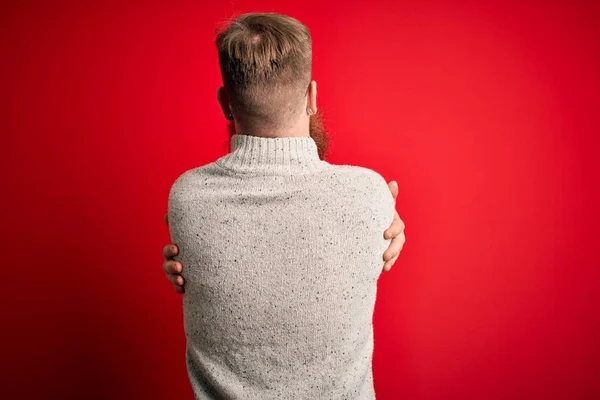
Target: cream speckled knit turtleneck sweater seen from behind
x: 281, y: 254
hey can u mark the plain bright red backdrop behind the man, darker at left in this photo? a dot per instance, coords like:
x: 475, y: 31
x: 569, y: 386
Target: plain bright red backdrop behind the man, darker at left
x: 486, y: 114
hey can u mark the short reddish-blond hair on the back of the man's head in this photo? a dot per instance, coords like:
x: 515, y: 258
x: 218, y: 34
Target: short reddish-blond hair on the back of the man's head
x: 266, y: 66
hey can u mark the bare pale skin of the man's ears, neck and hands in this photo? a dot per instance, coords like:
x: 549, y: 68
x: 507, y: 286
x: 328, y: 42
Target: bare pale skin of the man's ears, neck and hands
x: 395, y: 231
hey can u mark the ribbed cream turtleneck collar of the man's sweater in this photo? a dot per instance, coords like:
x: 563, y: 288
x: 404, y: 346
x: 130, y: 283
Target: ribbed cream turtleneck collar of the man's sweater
x: 258, y: 155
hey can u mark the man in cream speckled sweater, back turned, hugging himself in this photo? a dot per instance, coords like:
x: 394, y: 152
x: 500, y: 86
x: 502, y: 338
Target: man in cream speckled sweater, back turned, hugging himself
x: 281, y: 249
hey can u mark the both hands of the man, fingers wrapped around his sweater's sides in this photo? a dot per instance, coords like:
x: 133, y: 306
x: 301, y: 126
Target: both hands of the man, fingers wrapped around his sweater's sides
x: 173, y: 268
